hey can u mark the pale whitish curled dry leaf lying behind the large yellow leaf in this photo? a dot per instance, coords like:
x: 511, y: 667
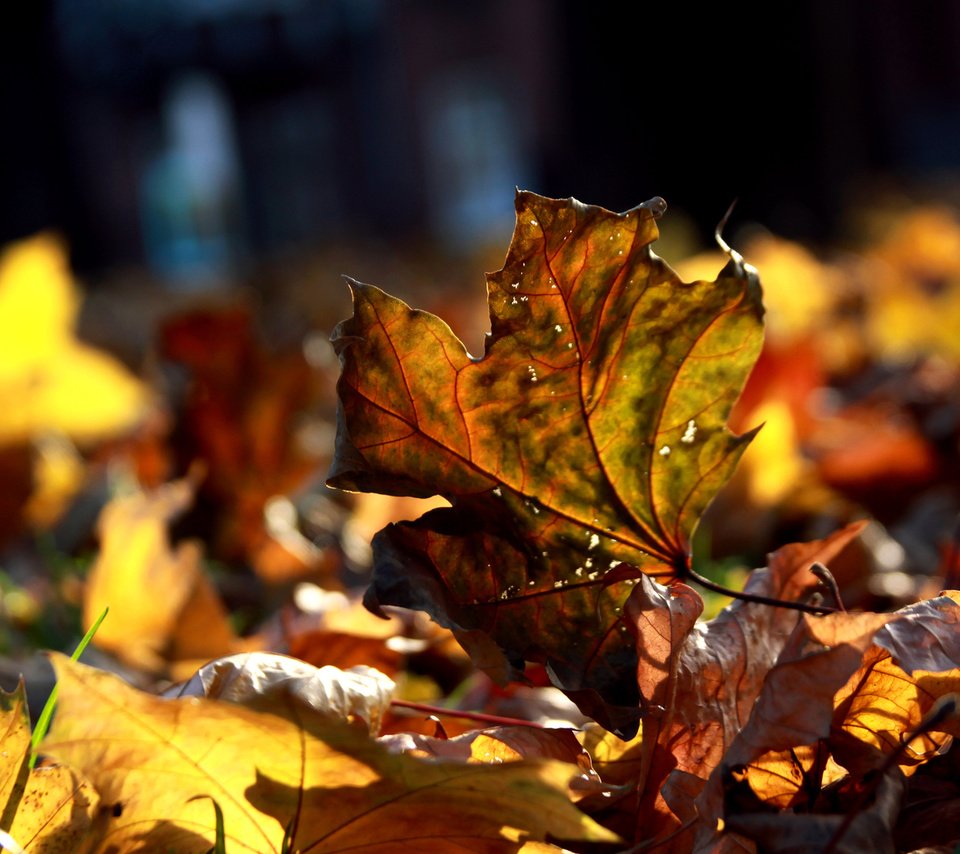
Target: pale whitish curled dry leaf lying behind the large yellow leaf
x: 306, y: 695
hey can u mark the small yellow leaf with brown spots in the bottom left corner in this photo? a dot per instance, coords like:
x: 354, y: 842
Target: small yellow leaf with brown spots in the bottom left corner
x: 46, y: 809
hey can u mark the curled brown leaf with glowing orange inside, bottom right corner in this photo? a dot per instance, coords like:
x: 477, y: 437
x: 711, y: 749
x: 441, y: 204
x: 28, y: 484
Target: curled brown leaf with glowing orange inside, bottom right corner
x: 810, y: 716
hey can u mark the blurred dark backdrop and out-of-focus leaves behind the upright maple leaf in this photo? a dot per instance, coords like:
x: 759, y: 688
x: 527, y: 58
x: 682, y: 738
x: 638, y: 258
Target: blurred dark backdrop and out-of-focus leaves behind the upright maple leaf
x: 207, y: 170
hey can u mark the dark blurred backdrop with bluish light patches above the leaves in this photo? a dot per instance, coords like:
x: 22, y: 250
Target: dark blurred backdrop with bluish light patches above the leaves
x: 348, y: 120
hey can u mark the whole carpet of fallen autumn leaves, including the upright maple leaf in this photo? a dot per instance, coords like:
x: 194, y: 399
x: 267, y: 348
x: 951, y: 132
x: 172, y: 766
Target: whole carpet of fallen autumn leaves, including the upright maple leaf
x: 265, y: 709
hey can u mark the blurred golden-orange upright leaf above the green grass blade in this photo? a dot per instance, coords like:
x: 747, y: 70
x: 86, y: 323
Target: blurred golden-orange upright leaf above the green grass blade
x: 163, y: 608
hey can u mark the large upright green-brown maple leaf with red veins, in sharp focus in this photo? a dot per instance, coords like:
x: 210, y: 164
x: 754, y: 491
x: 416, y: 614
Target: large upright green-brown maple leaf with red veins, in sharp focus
x: 577, y: 454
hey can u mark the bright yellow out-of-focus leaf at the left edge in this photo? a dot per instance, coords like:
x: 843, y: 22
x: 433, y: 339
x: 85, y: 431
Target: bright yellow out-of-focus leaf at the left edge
x: 49, y: 380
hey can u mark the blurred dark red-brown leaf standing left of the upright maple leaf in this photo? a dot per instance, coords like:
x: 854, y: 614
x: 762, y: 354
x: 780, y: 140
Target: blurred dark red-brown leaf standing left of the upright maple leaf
x: 243, y: 414
